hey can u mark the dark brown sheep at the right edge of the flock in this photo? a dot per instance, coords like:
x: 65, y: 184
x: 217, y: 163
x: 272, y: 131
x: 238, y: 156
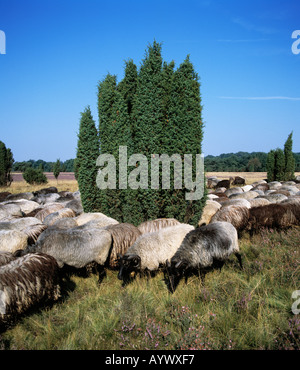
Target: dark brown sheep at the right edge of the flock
x: 274, y: 215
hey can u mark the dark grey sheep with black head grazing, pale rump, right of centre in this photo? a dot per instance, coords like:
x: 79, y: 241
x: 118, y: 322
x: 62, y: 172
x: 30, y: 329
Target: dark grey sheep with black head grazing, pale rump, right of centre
x: 202, y: 249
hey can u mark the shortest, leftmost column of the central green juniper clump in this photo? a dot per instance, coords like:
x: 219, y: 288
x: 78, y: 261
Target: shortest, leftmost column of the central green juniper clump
x: 87, y: 154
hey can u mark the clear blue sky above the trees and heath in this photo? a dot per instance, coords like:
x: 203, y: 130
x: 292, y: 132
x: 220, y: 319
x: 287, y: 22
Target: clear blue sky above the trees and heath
x: 58, y: 50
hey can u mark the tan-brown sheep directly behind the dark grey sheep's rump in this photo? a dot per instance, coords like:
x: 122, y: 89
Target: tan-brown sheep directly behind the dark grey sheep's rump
x: 238, y: 216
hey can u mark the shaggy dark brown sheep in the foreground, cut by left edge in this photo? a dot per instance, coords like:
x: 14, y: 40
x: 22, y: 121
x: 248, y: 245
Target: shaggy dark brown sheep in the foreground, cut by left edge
x: 27, y: 281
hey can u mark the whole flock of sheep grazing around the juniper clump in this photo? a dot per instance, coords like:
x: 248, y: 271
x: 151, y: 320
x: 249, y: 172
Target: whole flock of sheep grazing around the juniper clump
x: 43, y: 231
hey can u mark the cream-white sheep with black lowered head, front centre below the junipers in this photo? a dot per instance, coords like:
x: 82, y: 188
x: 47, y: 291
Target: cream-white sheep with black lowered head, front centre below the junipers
x: 151, y: 250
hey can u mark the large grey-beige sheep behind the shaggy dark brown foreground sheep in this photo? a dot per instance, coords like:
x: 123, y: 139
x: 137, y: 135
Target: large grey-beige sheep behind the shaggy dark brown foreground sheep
x: 77, y: 247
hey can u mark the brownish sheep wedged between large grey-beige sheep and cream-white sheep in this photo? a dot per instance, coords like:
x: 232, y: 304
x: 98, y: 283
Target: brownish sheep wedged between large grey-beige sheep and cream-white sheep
x: 123, y: 236
